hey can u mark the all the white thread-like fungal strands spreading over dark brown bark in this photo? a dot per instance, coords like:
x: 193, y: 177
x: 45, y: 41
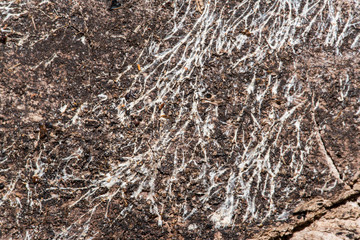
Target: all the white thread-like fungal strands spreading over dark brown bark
x: 259, y: 146
